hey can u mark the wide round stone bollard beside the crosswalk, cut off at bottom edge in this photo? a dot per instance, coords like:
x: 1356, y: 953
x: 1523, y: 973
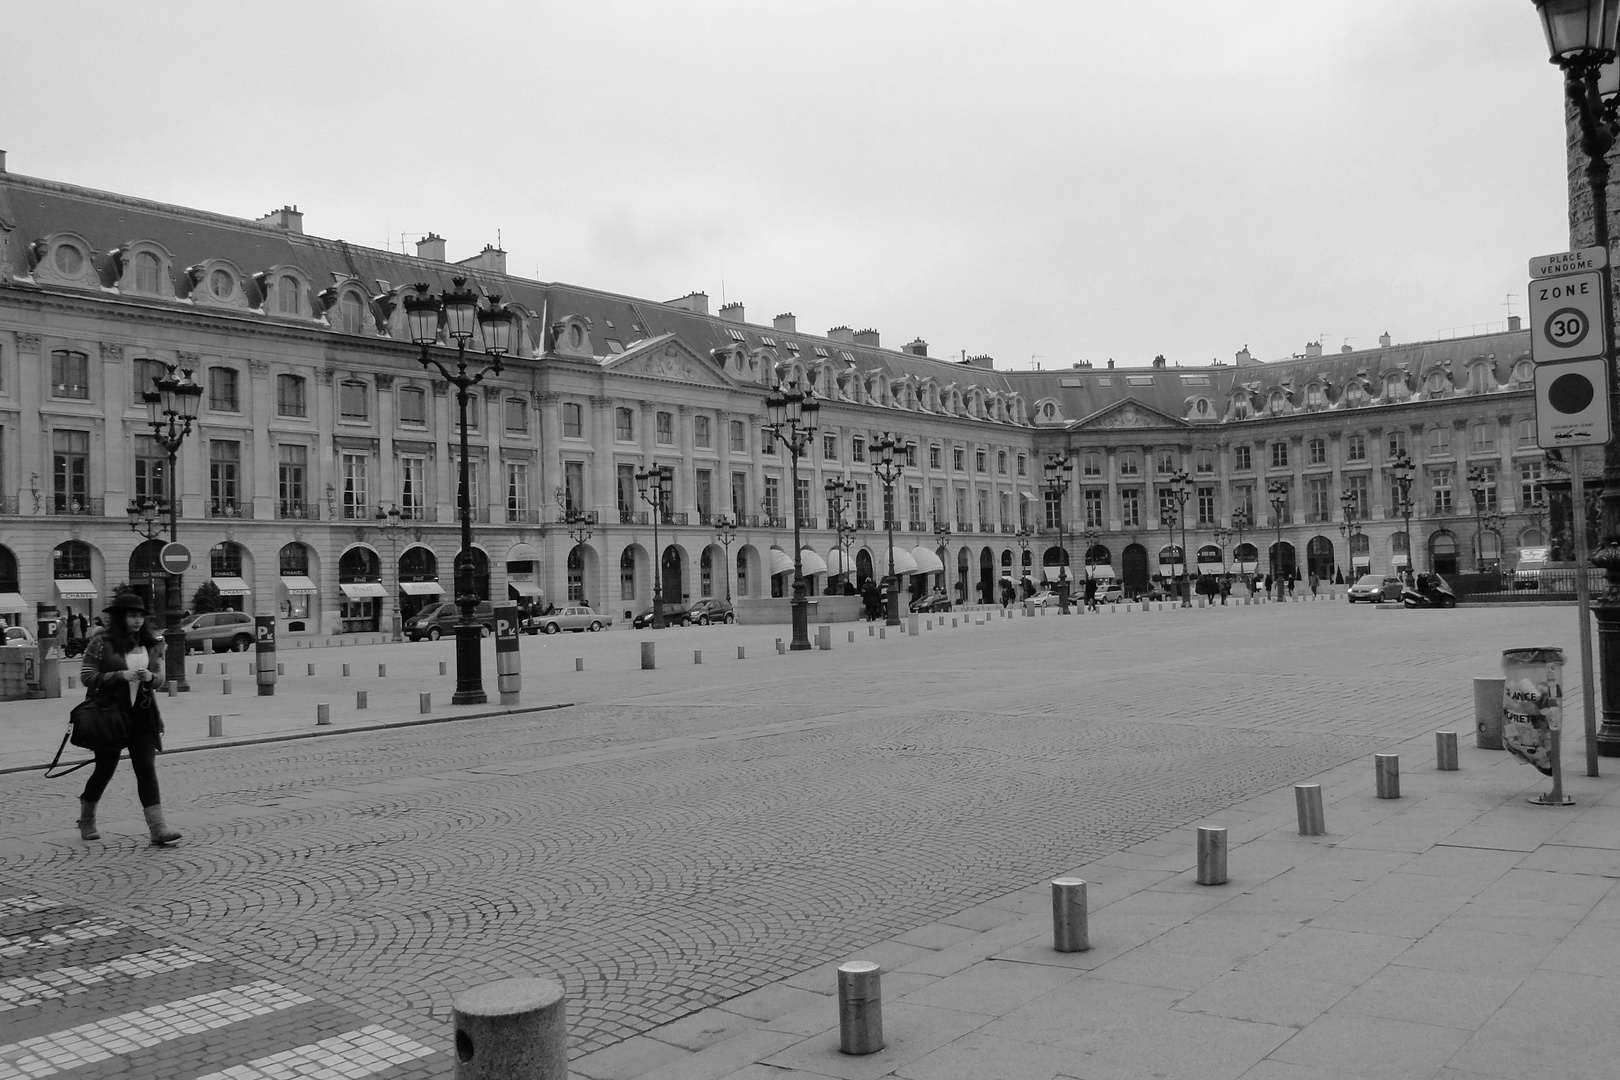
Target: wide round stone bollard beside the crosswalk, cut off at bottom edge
x: 511, y: 1031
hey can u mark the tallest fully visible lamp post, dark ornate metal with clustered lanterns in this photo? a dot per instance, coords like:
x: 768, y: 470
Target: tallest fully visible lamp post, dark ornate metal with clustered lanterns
x: 456, y: 310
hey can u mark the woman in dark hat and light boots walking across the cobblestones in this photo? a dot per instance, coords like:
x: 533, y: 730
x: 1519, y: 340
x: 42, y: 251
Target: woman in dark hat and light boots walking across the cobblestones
x: 122, y: 663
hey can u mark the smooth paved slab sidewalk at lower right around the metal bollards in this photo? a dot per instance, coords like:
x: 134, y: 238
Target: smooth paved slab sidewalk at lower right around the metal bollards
x: 1457, y: 933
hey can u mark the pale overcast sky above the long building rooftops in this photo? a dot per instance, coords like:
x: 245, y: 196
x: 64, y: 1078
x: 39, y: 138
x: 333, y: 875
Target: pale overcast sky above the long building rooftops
x: 1044, y: 182
